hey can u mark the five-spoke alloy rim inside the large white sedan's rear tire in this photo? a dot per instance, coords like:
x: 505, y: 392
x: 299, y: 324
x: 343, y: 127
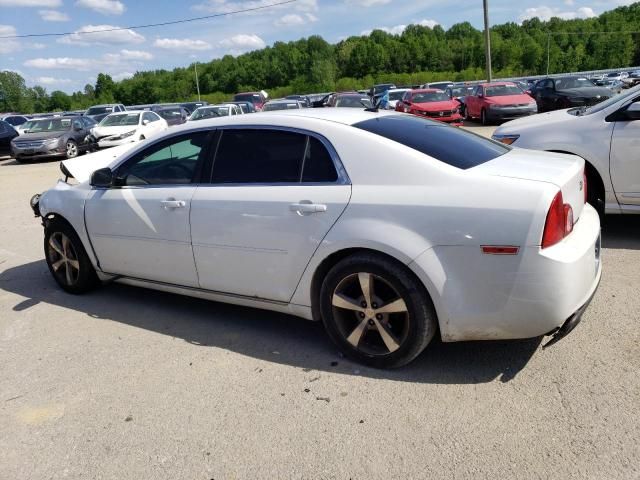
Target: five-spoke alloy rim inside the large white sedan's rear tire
x: 370, y: 314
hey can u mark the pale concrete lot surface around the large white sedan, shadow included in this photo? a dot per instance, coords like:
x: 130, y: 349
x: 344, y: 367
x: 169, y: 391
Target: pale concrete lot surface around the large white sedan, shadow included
x: 125, y: 383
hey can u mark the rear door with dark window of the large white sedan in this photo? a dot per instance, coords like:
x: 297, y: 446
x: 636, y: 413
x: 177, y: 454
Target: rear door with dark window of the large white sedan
x: 274, y: 195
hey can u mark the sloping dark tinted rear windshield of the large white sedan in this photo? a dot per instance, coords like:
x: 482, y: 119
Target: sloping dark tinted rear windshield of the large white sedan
x: 450, y: 145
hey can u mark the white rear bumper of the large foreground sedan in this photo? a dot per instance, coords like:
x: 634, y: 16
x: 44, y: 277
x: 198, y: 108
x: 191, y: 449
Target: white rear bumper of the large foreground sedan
x: 498, y: 297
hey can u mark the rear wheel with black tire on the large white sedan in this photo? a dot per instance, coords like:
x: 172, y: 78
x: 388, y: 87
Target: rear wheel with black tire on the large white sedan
x: 409, y: 329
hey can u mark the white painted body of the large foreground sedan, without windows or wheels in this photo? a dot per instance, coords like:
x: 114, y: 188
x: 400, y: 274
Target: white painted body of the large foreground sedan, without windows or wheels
x: 256, y: 245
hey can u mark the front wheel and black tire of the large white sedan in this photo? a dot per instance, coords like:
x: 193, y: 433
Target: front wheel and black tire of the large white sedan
x: 56, y: 249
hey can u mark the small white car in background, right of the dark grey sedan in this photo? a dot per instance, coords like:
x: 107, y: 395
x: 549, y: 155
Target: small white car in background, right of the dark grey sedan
x: 128, y: 127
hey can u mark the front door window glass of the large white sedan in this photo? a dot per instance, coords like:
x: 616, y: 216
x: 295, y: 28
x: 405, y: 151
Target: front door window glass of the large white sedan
x: 172, y: 162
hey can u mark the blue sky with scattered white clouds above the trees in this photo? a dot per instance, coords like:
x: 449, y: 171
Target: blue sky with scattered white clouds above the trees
x: 69, y: 62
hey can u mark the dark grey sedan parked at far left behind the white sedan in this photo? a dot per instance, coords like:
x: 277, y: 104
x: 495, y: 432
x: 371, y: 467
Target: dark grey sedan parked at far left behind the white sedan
x: 54, y: 137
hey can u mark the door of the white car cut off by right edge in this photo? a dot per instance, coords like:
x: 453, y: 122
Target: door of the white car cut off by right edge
x: 625, y: 161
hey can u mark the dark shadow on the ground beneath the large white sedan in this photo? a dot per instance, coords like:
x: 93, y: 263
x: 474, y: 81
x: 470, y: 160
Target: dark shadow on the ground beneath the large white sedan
x: 258, y: 333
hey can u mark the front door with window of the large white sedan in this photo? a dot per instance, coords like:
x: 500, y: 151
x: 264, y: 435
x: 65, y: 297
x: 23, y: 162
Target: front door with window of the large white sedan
x: 140, y: 227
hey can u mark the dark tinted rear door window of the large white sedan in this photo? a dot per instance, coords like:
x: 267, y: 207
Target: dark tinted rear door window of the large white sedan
x: 271, y: 156
